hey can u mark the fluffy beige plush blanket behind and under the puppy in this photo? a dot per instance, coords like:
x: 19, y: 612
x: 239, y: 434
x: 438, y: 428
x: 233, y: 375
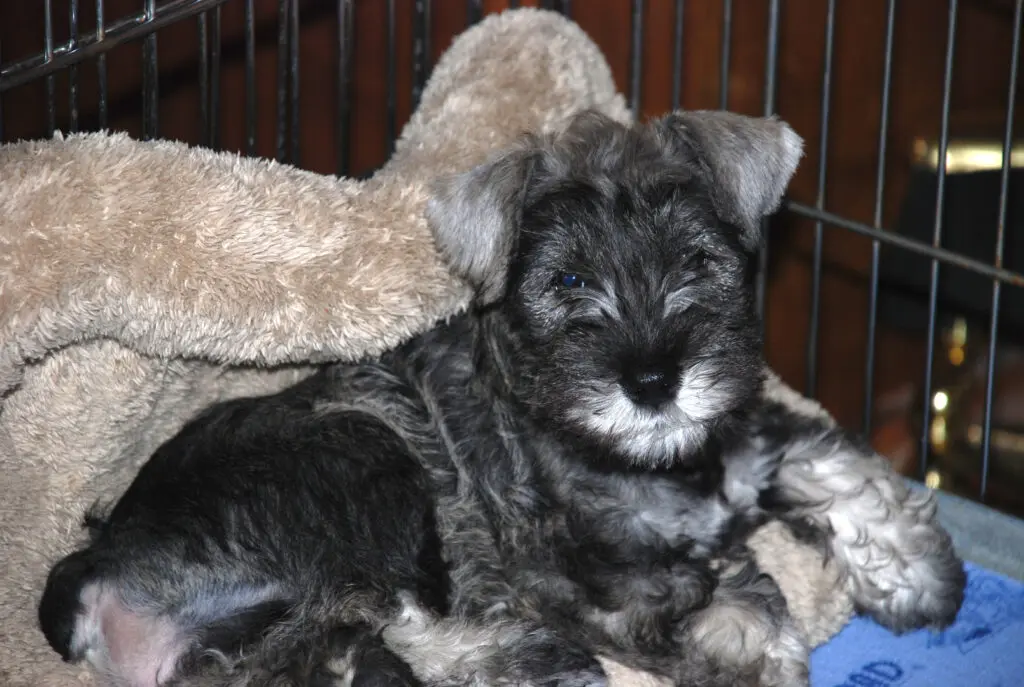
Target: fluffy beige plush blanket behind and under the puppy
x: 142, y: 282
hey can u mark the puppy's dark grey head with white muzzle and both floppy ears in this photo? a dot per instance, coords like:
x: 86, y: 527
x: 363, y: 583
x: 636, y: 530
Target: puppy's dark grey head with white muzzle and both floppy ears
x: 620, y: 259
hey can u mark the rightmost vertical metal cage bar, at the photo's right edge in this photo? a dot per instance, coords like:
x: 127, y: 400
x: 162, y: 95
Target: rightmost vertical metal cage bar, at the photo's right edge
x: 1001, y: 232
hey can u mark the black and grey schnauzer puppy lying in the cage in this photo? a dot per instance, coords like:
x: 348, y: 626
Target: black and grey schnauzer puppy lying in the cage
x: 568, y: 470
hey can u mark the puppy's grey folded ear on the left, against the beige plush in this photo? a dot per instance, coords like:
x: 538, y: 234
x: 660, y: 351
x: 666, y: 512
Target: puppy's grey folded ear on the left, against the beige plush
x: 476, y: 220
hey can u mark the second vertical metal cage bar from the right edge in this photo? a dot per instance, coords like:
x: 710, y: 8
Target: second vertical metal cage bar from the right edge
x: 937, y: 237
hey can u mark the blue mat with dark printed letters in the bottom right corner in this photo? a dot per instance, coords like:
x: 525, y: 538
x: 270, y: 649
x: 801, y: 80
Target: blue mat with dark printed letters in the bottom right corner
x: 985, y: 648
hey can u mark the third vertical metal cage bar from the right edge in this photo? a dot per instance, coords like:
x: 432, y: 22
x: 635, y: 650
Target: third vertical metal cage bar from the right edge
x: 880, y: 186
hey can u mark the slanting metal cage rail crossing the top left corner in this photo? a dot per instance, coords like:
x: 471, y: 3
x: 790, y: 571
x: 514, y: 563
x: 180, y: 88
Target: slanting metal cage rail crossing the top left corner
x: 115, y: 34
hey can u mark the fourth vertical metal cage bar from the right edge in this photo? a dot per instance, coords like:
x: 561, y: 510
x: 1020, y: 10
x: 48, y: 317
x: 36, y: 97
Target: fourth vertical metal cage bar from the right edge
x: 816, y: 324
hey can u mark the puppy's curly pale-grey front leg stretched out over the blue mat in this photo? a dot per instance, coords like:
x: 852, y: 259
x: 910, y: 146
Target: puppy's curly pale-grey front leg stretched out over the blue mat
x: 899, y: 563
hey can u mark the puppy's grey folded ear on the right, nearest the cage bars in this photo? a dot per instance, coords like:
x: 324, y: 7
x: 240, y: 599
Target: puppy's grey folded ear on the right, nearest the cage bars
x: 748, y: 162
